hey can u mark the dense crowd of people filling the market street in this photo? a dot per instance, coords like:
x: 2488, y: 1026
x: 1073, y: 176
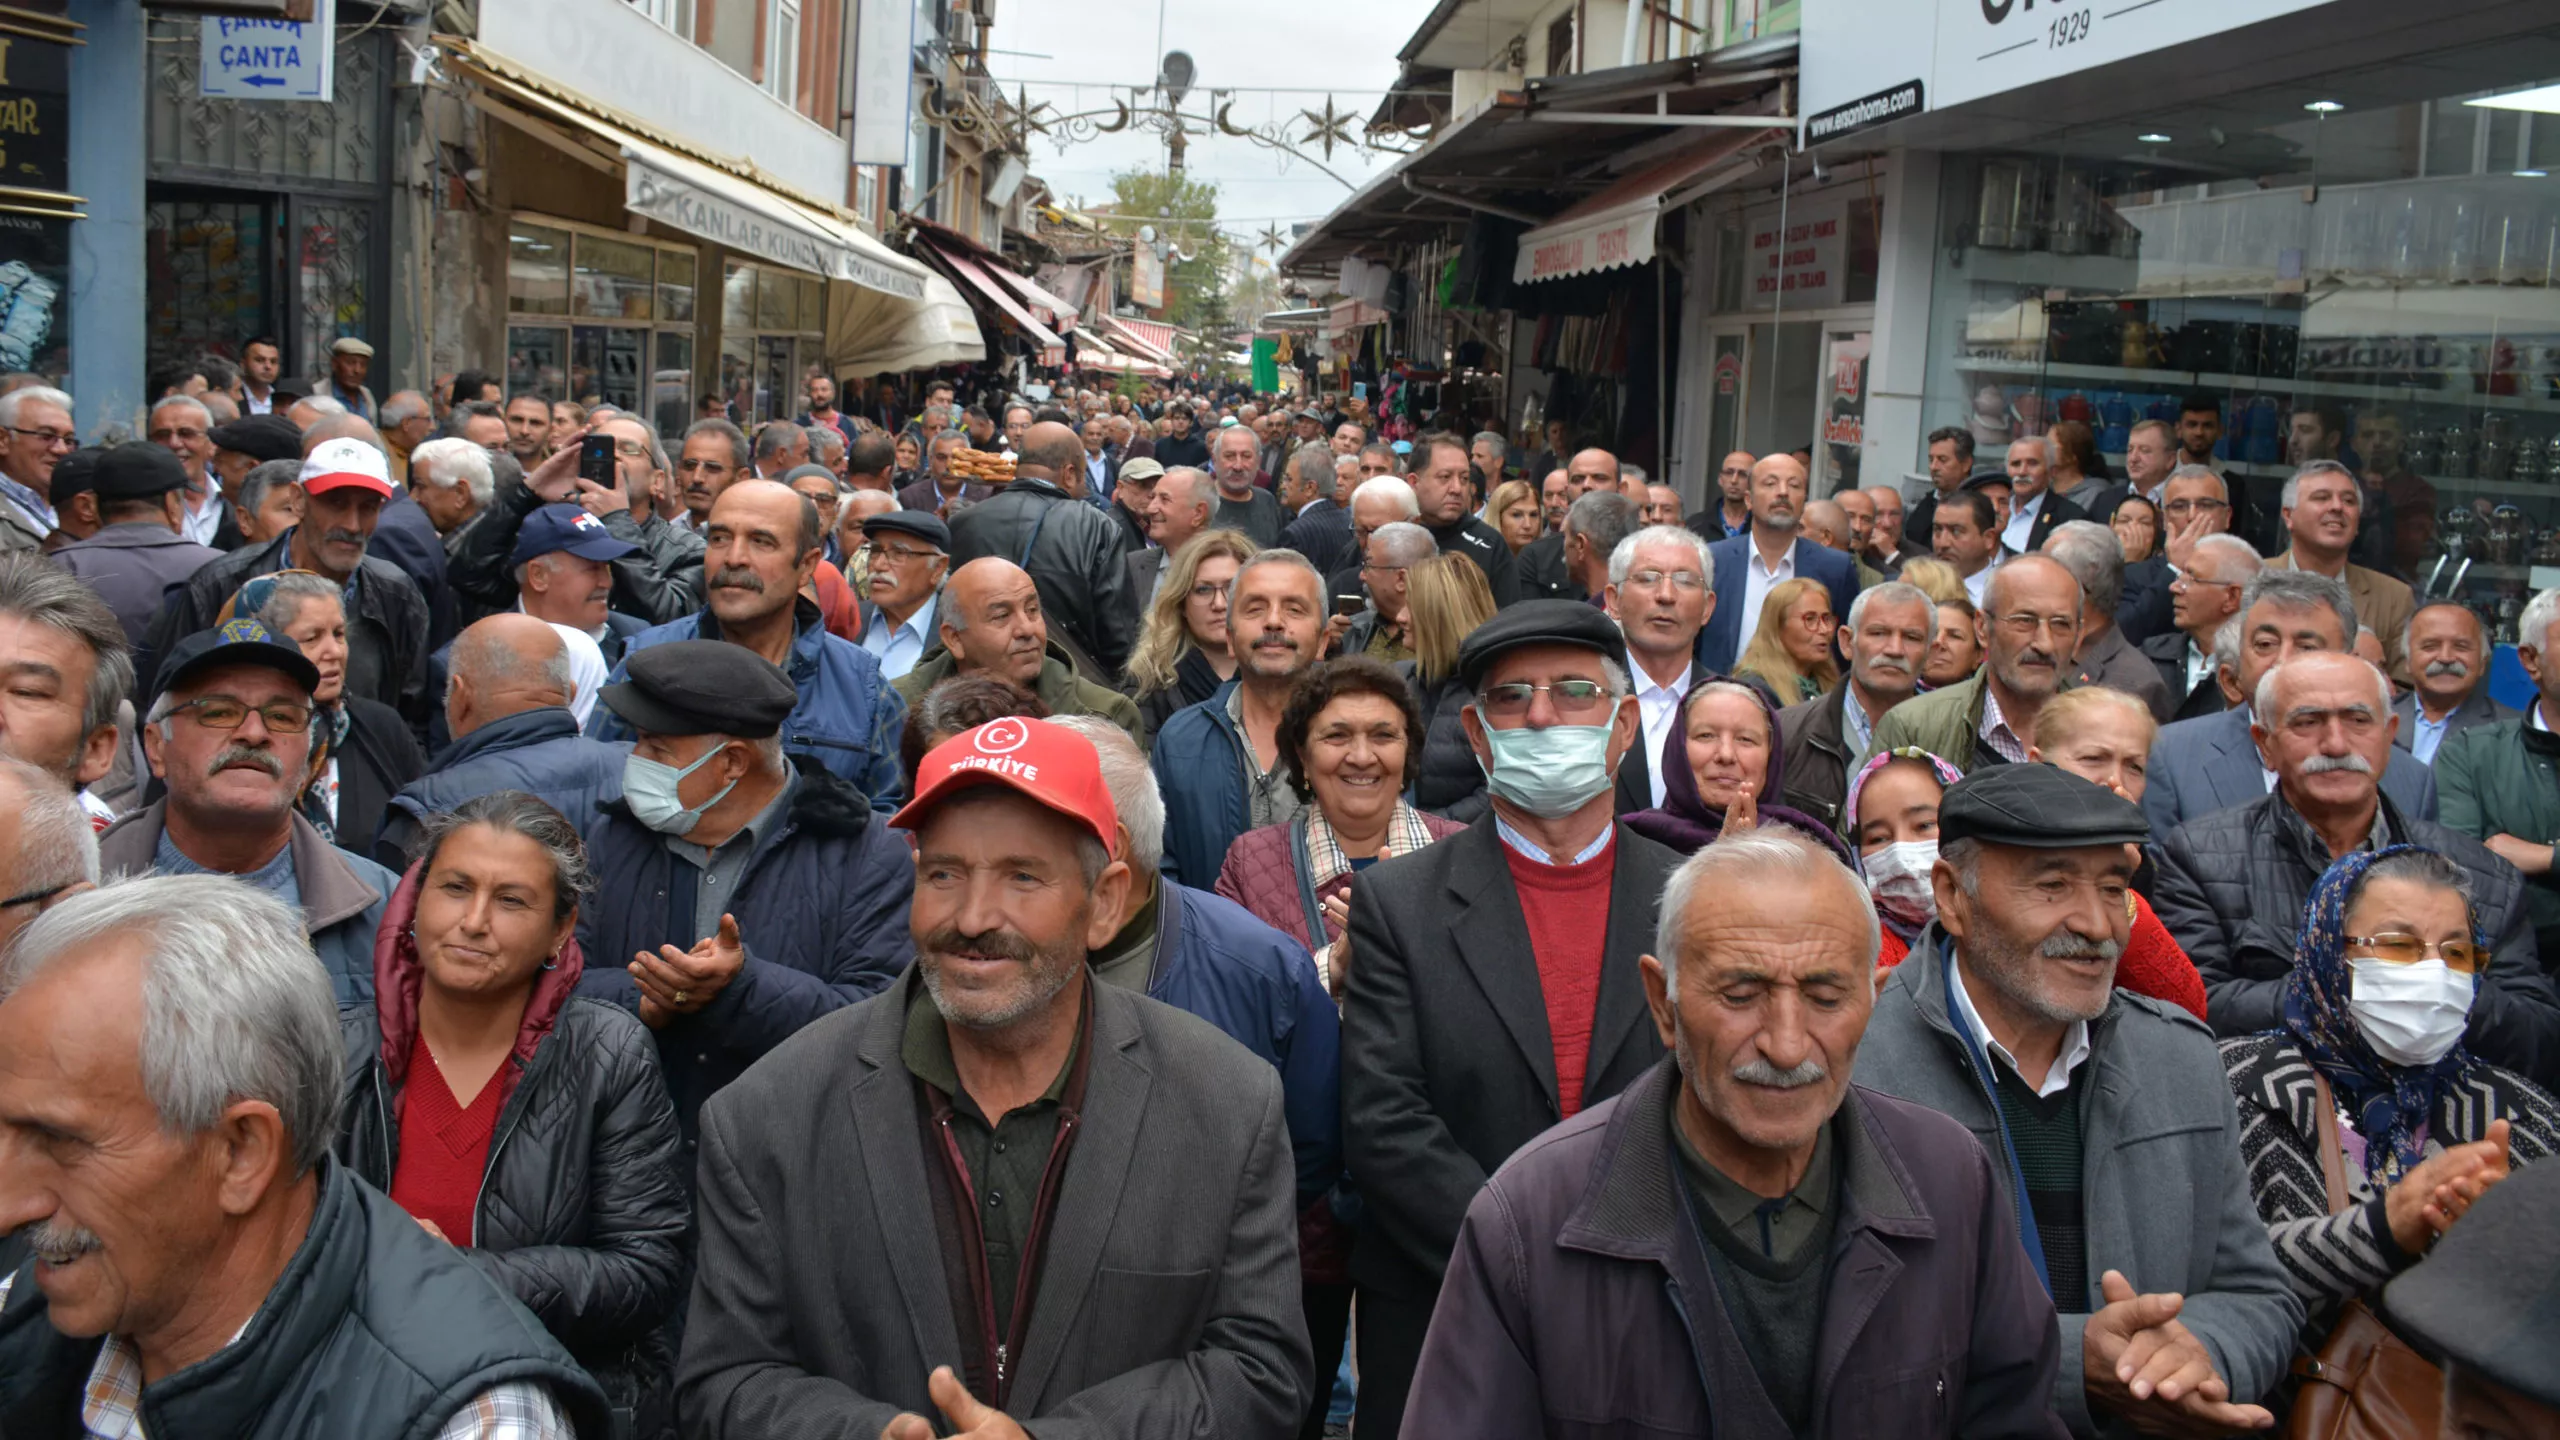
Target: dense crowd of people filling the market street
x: 1268, y: 921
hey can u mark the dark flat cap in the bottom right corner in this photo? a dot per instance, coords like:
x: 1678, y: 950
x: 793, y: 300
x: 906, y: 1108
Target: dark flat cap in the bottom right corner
x: 2490, y: 1293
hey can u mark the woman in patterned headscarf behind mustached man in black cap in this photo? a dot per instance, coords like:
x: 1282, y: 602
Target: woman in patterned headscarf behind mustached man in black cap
x: 362, y: 749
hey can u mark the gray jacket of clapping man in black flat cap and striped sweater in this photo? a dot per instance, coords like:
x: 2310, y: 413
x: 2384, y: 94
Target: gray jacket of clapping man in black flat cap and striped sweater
x: 2162, y: 1177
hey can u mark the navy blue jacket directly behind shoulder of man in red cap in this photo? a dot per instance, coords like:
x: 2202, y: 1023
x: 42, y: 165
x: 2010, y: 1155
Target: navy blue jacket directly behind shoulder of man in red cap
x: 1220, y: 962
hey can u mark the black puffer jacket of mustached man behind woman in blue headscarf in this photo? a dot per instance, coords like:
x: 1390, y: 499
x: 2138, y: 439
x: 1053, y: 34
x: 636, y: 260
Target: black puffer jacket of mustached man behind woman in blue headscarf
x: 2231, y: 890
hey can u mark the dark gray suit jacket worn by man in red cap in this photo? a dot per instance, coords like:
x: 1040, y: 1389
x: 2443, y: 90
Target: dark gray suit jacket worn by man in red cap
x: 1169, y: 1290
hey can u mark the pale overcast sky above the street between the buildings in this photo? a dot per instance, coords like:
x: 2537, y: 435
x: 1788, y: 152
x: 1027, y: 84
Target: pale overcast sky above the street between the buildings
x: 1297, y: 45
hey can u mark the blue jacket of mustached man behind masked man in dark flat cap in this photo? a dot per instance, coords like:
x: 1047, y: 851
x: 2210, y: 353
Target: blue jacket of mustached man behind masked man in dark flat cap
x: 849, y: 719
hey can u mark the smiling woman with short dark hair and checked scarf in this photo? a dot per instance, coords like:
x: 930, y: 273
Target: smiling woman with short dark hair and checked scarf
x: 1353, y: 744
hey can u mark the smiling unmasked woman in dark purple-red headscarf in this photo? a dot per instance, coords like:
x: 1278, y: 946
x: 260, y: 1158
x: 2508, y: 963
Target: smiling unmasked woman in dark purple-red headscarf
x: 1716, y: 767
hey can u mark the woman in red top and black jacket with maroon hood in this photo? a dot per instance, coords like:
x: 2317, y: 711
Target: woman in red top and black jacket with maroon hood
x: 508, y: 1116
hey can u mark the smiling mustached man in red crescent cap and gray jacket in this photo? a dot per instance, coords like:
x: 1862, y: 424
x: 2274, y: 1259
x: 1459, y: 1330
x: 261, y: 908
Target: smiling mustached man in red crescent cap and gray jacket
x: 1135, y: 1165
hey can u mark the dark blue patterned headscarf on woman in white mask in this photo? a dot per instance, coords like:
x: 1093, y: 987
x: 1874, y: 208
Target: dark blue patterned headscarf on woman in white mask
x: 2390, y: 1103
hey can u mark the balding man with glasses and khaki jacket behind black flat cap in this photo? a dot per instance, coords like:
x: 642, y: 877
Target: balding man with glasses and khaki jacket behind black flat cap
x: 2031, y: 624
